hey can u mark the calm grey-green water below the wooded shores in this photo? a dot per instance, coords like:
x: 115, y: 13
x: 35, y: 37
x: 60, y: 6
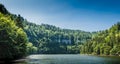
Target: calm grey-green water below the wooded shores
x: 71, y: 59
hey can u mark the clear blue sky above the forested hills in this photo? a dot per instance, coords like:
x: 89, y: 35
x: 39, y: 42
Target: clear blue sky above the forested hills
x: 87, y: 15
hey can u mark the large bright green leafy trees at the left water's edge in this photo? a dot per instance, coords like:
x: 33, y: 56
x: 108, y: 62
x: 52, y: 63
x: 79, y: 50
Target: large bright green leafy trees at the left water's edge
x: 12, y: 39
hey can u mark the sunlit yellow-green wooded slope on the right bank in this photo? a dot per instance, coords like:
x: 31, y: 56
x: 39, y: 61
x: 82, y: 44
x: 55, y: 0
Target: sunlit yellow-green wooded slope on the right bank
x: 106, y: 42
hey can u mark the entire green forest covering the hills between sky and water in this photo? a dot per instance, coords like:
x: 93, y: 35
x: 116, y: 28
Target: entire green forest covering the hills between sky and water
x: 19, y: 38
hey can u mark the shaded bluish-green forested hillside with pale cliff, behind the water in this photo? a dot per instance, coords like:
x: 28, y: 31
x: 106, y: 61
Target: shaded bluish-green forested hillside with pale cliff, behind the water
x: 50, y: 39
